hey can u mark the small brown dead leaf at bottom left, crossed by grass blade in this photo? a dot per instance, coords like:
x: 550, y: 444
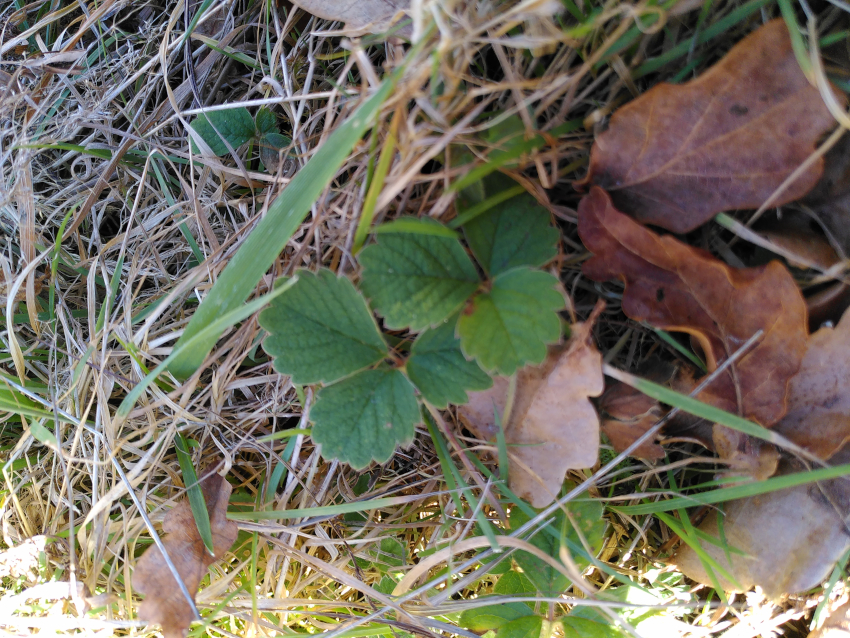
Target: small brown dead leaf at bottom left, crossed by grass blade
x: 164, y: 603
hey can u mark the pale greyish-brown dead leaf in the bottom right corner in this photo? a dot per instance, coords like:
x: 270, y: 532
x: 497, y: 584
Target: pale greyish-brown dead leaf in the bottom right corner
x: 785, y: 541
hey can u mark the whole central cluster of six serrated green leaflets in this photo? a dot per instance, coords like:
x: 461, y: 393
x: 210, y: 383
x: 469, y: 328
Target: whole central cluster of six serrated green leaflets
x: 418, y: 277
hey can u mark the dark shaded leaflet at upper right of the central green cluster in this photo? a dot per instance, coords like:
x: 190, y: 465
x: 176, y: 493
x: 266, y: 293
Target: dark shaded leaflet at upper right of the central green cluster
x: 515, y: 233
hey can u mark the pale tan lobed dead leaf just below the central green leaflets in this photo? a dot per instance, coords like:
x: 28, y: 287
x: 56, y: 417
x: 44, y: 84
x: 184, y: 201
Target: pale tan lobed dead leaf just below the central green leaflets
x: 552, y: 427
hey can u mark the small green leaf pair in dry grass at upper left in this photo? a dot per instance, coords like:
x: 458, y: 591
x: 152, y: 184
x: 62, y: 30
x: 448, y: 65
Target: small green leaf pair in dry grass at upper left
x: 235, y: 127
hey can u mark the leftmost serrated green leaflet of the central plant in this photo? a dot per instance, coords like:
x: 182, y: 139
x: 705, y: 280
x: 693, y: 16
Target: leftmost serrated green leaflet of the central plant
x: 321, y: 330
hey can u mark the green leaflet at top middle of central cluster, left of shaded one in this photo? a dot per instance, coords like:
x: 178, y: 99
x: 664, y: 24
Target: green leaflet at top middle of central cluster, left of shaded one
x: 416, y: 280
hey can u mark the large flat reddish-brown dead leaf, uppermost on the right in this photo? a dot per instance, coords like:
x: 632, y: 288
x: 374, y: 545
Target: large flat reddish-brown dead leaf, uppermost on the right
x: 679, y: 154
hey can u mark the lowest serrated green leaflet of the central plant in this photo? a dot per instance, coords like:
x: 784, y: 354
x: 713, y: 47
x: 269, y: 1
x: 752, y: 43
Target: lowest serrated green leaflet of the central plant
x: 364, y: 417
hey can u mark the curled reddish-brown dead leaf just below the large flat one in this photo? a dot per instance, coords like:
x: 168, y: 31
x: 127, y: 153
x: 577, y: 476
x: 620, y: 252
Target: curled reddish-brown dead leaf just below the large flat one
x: 677, y: 287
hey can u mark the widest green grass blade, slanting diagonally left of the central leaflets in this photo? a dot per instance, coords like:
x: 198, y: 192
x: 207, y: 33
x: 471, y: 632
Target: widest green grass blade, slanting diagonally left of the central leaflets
x: 268, y: 239
